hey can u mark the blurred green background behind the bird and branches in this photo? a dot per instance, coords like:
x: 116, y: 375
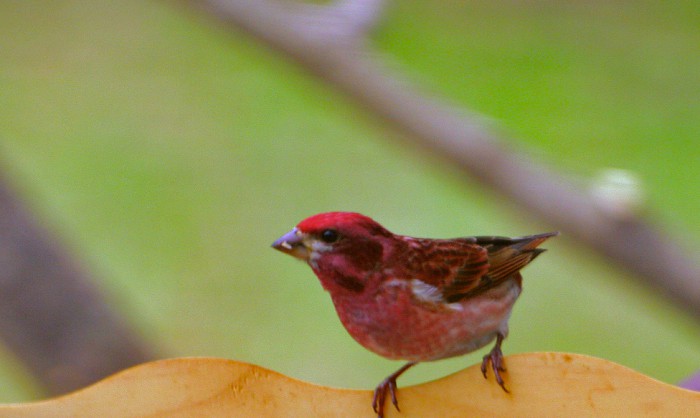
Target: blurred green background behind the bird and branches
x: 167, y: 154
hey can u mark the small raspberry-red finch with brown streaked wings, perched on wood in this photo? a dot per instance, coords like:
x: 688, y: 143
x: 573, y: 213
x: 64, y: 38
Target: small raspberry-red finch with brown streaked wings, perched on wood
x: 414, y: 299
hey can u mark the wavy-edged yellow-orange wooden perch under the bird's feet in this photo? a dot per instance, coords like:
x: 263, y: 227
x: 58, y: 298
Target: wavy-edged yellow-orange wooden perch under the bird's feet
x: 541, y: 384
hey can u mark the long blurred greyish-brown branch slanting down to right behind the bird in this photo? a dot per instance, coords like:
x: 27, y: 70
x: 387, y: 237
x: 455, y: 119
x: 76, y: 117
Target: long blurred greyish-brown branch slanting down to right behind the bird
x: 465, y: 141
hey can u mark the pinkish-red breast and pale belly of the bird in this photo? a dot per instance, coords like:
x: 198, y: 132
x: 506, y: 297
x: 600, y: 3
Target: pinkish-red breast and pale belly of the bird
x: 392, y: 323
